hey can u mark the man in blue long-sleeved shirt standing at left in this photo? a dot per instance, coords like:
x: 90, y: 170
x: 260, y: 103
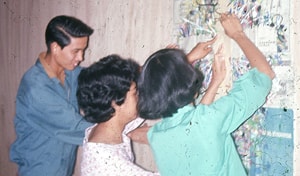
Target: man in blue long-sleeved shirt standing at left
x: 47, y: 122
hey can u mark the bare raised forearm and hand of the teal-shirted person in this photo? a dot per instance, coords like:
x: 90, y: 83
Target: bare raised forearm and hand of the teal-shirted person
x: 234, y: 30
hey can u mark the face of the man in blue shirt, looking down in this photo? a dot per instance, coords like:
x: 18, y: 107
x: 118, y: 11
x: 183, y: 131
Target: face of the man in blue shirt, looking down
x: 71, y: 55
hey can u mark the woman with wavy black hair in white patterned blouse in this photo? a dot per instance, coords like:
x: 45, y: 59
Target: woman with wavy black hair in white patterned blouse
x: 107, y: 96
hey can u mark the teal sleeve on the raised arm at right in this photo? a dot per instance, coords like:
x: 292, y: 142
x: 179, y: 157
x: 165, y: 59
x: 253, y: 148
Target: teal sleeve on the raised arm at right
x: 247, y: 95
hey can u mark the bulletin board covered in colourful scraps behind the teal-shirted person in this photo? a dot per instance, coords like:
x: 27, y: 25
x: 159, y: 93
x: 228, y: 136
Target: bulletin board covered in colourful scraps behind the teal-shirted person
x: 265, y: 141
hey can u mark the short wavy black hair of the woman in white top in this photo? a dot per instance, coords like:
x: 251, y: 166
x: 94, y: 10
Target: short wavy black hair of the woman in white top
x: 103, y: 82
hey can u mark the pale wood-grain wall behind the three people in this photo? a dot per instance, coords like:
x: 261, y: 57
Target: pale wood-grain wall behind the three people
x: 130, y: 28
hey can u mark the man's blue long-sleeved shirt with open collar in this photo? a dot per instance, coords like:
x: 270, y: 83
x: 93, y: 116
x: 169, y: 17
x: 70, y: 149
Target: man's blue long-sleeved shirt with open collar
x: 47, y: 122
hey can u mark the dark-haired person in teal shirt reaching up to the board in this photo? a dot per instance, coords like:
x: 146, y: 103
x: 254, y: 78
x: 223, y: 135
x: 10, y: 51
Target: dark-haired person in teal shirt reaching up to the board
x: 196, y: 139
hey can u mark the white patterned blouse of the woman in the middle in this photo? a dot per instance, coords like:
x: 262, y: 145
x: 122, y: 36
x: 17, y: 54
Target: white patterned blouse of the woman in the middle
x: 99, y: 159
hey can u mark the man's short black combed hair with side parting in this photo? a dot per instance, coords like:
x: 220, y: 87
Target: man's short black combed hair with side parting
x: 61, y: 28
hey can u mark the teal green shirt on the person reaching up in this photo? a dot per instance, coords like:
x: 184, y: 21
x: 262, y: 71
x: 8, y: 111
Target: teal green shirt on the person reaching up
x: 197, y: 140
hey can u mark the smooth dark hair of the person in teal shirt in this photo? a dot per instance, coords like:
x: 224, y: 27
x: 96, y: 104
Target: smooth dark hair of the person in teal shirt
x: 167, y: 83
